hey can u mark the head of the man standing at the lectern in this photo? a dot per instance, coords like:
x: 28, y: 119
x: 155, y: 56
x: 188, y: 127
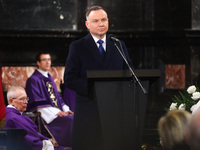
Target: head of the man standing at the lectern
x: 97, y: 21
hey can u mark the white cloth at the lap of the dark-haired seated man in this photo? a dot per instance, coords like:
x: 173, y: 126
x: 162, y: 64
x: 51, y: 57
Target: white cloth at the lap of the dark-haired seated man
x: 49, y: 113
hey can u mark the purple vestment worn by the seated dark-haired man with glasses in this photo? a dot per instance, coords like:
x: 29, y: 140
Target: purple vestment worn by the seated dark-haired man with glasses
x: 60, y: 127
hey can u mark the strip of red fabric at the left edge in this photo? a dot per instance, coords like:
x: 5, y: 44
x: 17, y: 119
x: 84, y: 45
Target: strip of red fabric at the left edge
x: 2, y: 103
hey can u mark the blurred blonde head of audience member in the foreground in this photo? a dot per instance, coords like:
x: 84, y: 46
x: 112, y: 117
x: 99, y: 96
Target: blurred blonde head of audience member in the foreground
x: 172, y: 128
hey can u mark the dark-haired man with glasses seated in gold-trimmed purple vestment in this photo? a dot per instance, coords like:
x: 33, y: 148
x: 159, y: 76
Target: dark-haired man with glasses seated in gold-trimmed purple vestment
x: 44, y: 97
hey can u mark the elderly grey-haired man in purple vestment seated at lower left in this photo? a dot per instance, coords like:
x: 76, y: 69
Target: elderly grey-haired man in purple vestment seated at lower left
x: 17, y: 100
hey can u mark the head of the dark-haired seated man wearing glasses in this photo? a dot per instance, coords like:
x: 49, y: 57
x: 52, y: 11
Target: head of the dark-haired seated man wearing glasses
x: 43, y: 61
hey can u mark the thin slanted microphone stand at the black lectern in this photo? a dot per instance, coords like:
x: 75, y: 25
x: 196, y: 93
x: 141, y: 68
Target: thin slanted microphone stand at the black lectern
x: 130, y: 68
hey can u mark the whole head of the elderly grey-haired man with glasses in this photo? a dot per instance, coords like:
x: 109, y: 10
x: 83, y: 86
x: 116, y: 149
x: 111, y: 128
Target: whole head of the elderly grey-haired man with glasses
x: 17, y: 97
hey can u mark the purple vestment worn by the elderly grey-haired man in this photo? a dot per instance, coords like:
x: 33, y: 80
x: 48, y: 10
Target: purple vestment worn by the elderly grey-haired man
x: 33, y: 139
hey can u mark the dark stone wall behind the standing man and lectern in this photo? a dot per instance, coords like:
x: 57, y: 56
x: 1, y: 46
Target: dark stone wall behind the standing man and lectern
x: 156, y: 32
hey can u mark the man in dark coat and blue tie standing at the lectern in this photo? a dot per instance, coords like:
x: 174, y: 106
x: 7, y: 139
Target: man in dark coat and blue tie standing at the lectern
x: 85, y: 54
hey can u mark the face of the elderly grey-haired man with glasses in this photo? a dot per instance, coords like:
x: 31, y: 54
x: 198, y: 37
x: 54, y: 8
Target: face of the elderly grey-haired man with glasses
x: 20, y: 101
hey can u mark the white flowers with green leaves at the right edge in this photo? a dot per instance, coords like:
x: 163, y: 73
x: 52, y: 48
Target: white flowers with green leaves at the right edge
x: 186, y: 99
